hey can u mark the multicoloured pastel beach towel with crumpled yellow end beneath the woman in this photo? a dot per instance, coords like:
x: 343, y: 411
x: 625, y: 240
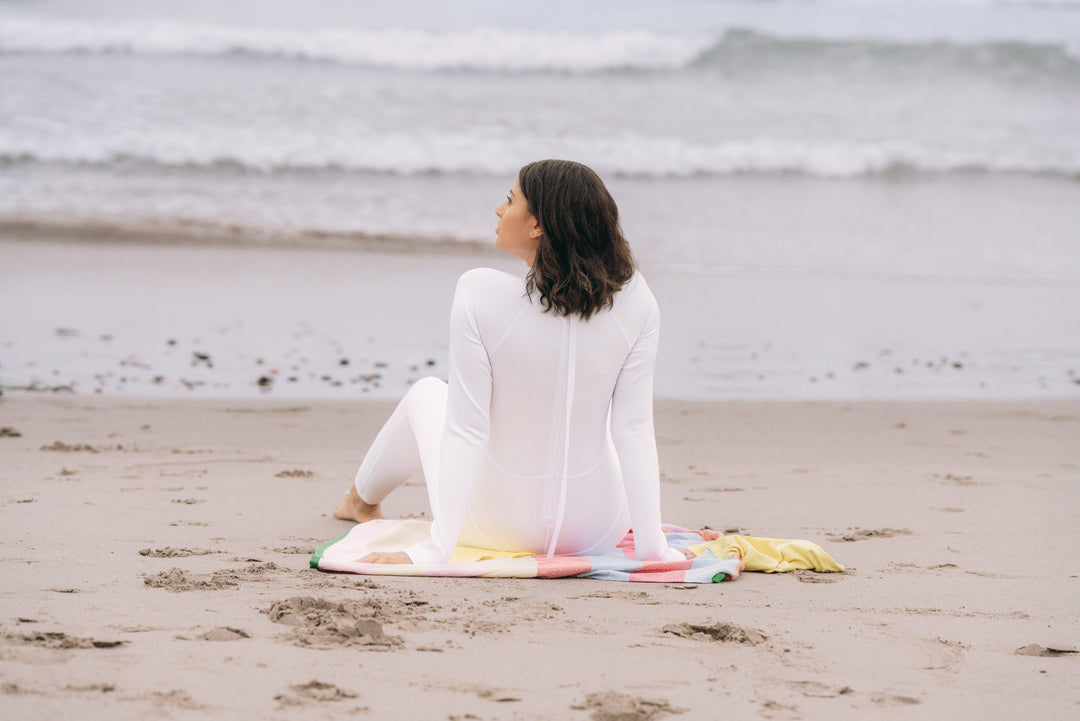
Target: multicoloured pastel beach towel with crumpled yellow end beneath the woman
x: 717, y: 557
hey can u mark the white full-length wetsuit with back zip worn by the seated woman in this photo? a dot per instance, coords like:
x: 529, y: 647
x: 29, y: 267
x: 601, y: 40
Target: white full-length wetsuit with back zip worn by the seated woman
x: 544, y: 441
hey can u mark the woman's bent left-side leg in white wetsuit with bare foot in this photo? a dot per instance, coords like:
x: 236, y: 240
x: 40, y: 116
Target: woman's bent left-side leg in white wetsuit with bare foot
x: 409, y: 442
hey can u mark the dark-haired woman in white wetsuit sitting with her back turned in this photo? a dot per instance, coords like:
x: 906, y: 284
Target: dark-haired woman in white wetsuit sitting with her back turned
x: 543, y: 441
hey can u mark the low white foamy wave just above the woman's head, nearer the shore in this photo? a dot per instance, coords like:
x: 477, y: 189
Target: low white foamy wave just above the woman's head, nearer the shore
x: 629, y: 156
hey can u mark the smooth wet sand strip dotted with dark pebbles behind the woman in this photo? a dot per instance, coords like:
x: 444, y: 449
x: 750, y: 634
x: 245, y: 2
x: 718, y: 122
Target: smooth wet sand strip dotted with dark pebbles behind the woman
x: 212, y: 321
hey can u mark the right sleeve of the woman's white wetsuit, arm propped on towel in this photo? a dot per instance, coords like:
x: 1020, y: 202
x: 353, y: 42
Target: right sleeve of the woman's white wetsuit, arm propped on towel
x: 636, y: 442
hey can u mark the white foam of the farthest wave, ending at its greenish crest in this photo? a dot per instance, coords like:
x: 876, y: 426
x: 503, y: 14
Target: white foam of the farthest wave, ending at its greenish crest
x: 482, y: 49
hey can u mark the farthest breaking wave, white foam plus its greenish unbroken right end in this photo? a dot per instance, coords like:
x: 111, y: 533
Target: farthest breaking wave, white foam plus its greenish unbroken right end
x: 503, y: 50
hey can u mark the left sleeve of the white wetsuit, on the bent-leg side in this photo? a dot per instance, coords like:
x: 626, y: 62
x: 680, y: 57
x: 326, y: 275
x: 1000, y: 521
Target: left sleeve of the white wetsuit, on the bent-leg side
x: 468, y: 427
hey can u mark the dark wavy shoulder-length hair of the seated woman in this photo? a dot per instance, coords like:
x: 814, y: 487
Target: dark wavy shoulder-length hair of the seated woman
x: 583, y: 260
